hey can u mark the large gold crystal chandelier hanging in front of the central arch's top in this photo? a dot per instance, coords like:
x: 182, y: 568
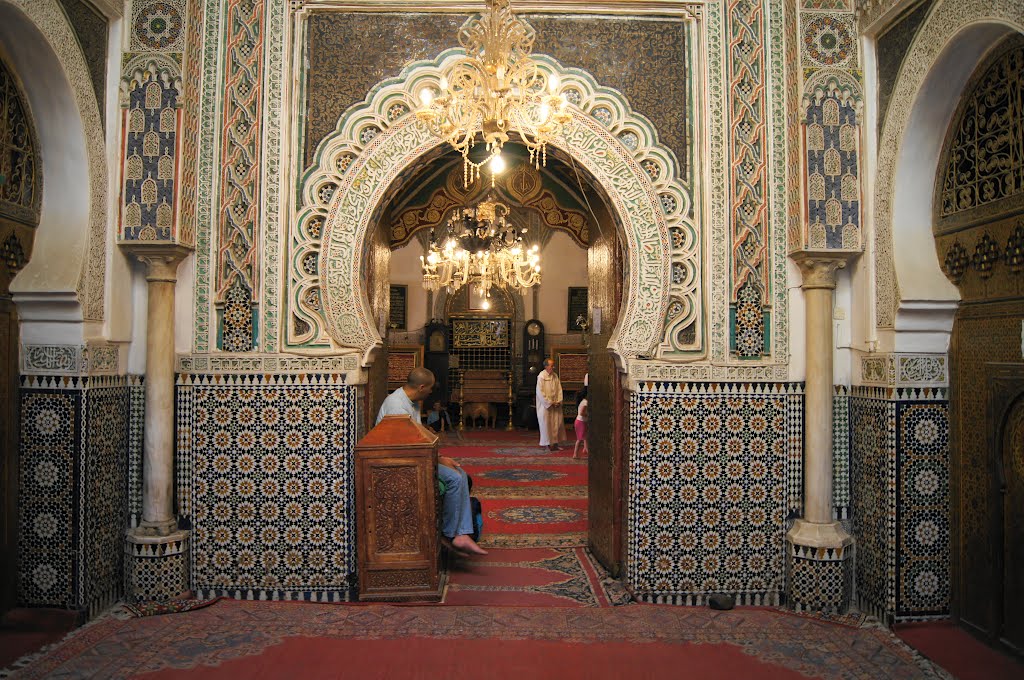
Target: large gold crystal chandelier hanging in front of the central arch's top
x: 495, y: 90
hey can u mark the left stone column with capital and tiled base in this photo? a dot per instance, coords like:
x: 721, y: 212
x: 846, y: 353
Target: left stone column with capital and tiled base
x: 156, y: 549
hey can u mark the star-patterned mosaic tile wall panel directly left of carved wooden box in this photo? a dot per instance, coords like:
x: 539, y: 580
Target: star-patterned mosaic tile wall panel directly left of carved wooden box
x: 268, y: 479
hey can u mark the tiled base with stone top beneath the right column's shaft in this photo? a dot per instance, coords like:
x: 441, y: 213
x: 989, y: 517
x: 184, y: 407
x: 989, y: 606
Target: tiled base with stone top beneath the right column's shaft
x: 820, y: 568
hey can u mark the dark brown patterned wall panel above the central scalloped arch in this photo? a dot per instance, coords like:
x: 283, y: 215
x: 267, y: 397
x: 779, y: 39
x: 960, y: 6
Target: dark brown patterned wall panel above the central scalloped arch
x: 647, y: 61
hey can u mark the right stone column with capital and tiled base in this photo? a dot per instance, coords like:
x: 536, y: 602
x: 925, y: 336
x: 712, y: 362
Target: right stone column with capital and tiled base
x: 820, y: 566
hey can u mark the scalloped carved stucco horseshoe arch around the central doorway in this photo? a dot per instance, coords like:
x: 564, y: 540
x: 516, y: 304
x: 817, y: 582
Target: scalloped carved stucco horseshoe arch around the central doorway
x: 377, y: 141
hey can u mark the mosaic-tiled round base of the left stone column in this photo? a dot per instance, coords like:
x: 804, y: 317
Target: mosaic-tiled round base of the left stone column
x: 156, y: 567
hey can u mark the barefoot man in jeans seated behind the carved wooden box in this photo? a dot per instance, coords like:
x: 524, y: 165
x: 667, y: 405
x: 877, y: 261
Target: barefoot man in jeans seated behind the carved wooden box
x: 457, y: 518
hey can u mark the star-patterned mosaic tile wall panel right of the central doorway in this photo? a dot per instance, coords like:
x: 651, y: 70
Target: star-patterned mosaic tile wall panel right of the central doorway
x: 708, y: 490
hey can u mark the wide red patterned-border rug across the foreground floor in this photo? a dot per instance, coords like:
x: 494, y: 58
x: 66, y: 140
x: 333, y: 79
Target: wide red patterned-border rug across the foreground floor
x: 253, y: 640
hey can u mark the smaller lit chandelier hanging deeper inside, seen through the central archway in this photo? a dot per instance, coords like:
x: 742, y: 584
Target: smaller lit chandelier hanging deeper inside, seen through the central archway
x: 481, y: 248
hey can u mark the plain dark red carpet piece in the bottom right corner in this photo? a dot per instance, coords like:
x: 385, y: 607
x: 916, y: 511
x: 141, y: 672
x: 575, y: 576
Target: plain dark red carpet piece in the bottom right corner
x: 959, y: 652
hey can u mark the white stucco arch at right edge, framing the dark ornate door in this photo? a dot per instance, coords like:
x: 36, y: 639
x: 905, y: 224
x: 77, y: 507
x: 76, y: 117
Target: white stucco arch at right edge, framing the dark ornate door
x: 955, y: 38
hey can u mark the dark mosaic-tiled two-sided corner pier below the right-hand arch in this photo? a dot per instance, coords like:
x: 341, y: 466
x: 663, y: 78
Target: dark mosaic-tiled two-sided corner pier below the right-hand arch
x: 901, y: 501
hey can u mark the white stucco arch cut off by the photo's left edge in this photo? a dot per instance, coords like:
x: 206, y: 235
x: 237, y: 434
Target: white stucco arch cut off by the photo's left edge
x: 70, y: 251
